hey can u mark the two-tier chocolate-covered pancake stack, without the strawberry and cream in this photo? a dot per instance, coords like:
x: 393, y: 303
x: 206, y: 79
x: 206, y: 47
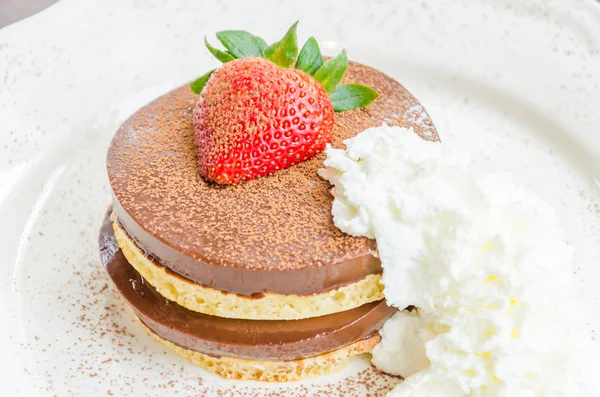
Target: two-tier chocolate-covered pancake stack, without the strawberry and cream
x: 250, y: 281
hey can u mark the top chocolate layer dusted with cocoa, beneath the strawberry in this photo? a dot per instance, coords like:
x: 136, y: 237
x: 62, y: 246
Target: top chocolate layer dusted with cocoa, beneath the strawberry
x: 270, y: 234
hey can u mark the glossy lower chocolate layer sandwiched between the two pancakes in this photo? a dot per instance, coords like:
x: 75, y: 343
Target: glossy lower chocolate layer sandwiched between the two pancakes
x: 216, y: 336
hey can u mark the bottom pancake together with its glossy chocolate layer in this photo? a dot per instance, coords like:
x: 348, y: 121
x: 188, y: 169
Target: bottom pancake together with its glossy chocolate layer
x: 243, y: 347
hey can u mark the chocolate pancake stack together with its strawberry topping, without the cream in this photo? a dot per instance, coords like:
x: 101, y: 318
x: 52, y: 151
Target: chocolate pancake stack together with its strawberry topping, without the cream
x: 220, y: 235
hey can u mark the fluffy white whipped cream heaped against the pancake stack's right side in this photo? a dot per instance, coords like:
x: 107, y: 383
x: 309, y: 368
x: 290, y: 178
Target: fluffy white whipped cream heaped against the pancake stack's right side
x: 483, y: 259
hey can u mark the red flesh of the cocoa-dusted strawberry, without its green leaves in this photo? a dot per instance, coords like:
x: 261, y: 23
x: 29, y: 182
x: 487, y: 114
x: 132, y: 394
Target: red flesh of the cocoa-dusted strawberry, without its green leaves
x: 254, y: 118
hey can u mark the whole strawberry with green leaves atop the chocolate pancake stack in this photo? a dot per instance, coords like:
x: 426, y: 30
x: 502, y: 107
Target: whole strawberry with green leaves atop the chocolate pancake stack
x: 256, y: 115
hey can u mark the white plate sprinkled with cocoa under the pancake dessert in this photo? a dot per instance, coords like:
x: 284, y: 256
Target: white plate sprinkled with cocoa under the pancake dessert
x: 517, y: 83
